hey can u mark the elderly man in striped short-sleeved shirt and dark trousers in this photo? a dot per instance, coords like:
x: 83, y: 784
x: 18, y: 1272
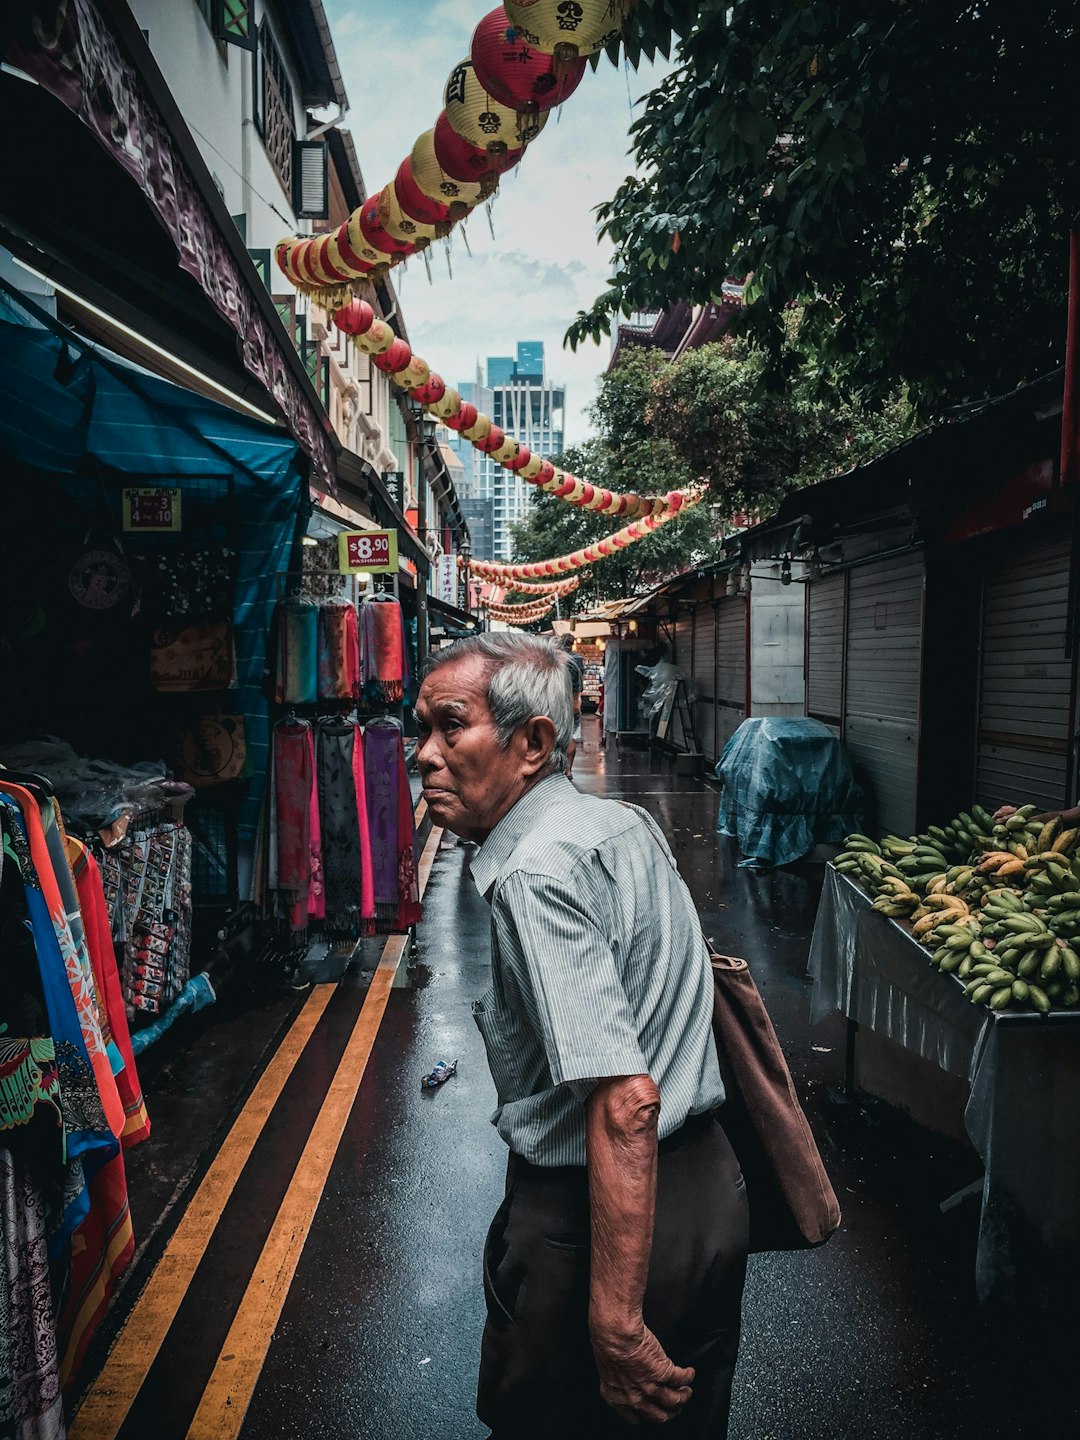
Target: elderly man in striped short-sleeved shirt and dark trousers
x: 614, y: 1268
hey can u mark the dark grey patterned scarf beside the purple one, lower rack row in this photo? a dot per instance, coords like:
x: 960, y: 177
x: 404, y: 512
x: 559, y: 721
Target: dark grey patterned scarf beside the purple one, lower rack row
x: 342, y: 832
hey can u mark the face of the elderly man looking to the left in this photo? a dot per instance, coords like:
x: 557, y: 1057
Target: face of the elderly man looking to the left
x: 470, y: 781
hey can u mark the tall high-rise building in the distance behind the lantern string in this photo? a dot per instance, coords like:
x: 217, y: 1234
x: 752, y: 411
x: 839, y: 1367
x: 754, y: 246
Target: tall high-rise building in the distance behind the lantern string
x: 523, y: 402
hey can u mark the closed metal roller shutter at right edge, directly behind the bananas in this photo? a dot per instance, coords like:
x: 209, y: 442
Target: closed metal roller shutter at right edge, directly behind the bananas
x: 1026, y: 680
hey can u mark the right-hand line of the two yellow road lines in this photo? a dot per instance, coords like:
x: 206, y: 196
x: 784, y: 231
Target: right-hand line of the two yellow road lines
x: 231, y: 1387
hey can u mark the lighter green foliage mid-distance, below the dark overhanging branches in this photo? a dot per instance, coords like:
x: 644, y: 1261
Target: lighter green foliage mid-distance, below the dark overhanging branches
x: 706, y: 421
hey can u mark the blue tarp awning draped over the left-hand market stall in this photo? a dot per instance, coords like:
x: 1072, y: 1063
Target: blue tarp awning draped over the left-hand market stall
x: 61, y: 408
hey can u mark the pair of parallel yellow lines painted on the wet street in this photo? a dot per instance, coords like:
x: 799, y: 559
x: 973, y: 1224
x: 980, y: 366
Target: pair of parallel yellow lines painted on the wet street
x: 228, y: 1395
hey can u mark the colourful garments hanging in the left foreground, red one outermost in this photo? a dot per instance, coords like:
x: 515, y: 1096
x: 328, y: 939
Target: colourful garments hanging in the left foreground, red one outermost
x: 70, y: 1105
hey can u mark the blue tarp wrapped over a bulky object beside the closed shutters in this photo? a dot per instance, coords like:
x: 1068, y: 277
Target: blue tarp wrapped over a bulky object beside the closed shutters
x: 788, y: 786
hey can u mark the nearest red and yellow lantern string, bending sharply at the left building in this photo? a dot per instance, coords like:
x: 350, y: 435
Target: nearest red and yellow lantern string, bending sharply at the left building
x: 526, y: 58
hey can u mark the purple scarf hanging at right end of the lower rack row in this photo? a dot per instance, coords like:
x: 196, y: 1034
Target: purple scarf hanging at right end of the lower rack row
x: 394, y: 832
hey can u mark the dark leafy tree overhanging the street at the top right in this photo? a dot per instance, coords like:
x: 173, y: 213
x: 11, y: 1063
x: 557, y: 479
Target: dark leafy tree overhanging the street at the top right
x: 905, y: 171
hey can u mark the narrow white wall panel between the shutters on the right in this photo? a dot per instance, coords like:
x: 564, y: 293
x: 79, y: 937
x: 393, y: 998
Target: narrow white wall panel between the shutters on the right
x: 778, y: 620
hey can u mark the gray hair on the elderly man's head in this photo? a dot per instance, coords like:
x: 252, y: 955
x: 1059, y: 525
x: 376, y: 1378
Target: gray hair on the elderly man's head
x: 528, y: 676
